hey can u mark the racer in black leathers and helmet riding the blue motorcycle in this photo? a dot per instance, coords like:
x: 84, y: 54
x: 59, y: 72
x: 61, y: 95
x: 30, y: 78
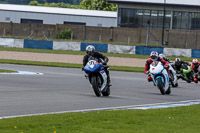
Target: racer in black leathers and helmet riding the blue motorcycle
x: 90, y: 52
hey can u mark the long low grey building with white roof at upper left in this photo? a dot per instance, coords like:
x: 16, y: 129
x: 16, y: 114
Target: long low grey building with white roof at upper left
x: 53, y: 15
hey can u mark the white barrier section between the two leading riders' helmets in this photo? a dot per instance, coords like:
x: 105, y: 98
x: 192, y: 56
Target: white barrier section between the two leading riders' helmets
x: 121, y: 49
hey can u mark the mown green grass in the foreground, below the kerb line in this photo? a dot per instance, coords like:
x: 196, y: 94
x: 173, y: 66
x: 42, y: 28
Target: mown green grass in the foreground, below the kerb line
x: 170, y: 120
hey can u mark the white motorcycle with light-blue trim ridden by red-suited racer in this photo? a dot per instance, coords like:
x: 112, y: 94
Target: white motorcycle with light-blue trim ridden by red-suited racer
x: 160, y: 77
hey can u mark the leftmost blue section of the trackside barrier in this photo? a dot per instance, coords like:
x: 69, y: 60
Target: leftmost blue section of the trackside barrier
x: 38, y: 44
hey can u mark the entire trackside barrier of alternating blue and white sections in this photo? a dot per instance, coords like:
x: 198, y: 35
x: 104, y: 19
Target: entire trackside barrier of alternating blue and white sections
x: 78, y: 46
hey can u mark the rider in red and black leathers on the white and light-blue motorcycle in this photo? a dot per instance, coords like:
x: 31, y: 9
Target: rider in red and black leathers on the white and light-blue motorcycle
x: 154, y: 57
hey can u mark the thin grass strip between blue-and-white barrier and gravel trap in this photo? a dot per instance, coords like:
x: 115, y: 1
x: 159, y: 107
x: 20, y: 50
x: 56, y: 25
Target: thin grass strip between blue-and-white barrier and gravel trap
x: 83, y: 53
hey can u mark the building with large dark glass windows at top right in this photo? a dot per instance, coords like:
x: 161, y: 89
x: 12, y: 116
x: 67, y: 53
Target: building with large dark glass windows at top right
x: 179, y: 14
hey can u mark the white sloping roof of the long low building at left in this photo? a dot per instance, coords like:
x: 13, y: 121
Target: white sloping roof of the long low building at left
x: 56, y: 10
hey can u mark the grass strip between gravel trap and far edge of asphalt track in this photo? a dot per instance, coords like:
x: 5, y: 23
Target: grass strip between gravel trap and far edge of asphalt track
x: 68, y: 65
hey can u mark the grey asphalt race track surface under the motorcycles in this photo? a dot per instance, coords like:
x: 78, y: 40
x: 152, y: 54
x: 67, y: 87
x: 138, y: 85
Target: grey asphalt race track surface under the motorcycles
x: 66, y: 89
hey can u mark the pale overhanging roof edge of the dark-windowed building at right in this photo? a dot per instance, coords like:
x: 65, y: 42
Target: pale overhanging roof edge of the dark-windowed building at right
x: 168, y: 2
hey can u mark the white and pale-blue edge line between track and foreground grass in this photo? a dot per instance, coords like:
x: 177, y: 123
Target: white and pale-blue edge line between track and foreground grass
x: 145, y: 106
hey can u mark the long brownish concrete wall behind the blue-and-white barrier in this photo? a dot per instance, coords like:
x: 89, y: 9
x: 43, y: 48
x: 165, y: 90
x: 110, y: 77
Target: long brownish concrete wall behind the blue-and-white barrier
x: 175, y: 38
